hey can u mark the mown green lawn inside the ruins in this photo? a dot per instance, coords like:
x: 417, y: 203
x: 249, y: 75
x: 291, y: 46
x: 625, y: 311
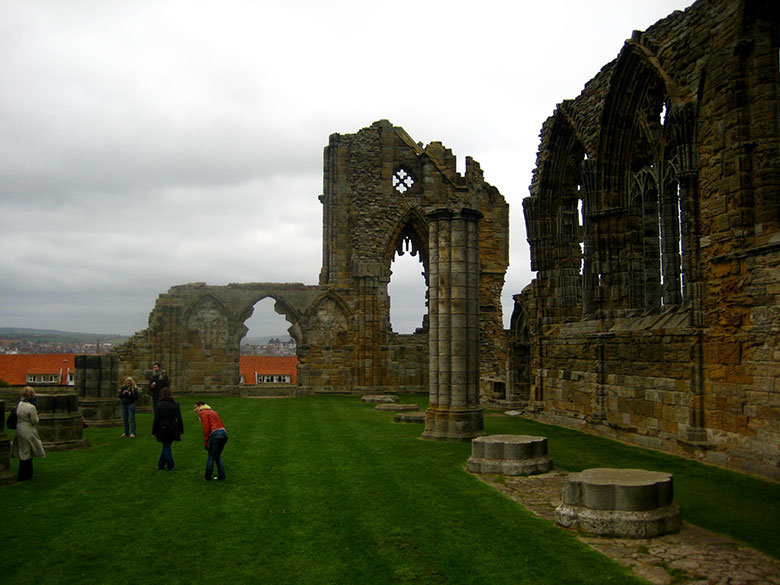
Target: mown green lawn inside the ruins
x: 322, y: 490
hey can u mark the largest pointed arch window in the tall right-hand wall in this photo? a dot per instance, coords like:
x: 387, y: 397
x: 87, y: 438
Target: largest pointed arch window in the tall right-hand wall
x: 637, y: 232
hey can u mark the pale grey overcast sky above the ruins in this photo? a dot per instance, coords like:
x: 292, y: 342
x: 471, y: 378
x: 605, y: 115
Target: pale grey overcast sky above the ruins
x: 145, y: 144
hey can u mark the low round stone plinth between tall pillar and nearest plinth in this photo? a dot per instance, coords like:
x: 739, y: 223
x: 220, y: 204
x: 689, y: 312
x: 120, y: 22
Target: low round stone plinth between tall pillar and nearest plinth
x: 509, y: 455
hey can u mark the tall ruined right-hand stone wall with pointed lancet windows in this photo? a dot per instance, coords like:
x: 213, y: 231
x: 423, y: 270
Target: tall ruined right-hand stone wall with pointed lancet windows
x: 655, y: 314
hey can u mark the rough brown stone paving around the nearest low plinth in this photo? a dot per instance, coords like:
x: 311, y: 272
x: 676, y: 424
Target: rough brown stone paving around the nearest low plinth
x: 692, y: 556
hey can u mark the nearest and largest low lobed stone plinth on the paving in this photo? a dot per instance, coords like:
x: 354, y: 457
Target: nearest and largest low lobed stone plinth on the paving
x: 631, y: 503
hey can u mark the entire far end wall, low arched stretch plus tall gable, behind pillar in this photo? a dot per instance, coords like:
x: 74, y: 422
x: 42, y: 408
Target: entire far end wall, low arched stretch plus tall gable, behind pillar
x: 380, y: 188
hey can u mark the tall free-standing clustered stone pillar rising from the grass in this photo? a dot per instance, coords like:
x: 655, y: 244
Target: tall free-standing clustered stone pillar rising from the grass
x: 454, y: 413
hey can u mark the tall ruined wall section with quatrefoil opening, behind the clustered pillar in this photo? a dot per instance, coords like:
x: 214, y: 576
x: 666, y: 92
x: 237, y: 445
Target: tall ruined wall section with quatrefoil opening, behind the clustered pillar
x: 379, y: 187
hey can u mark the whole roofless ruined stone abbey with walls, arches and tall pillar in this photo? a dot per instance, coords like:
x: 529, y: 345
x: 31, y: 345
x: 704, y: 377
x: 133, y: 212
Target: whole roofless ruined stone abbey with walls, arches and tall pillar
x: 654, y: 227
